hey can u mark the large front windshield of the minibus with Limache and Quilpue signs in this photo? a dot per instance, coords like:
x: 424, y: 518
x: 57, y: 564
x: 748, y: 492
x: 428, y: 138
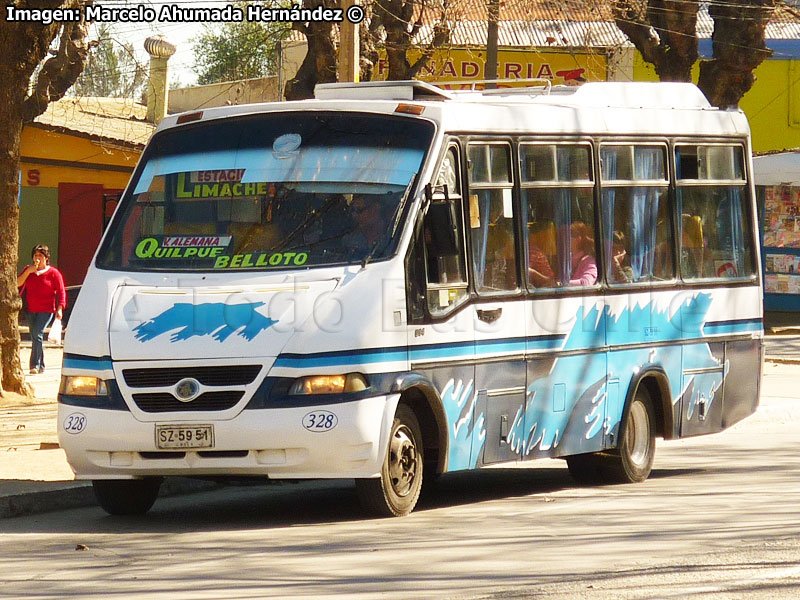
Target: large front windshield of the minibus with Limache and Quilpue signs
x: 271, y: 191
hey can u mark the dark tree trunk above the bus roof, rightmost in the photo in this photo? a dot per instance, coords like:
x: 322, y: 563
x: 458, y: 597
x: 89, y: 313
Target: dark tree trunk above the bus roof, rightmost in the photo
x: 739, y: 47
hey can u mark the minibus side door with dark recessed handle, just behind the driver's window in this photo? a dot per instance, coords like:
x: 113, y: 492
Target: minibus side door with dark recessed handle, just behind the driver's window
x: 498, y: 309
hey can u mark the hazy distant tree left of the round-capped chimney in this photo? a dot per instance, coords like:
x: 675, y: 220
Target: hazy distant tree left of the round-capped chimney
x: 111, y: 69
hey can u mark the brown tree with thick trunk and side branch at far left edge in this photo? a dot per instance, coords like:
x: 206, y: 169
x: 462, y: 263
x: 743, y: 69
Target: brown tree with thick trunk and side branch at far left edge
x: 26, y: 57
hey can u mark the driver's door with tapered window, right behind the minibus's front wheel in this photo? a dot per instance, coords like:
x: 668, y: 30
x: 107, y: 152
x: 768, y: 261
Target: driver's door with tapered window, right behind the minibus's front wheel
x: 441, y: 332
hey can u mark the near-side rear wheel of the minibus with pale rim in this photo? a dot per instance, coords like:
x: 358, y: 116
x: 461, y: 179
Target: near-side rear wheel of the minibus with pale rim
x: 632, y: 460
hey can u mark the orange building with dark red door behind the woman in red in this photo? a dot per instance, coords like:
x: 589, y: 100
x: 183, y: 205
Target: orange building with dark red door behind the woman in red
x: 76, y: 158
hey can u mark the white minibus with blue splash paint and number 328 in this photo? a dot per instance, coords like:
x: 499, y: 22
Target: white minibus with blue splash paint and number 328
x: 394, y: 281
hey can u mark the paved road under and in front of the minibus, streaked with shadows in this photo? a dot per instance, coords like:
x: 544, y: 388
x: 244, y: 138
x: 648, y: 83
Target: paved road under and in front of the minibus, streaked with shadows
x: 717, y: 519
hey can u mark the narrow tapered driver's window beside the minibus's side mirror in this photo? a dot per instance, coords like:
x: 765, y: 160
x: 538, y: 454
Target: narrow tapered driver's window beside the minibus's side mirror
x: 443, y: 240
